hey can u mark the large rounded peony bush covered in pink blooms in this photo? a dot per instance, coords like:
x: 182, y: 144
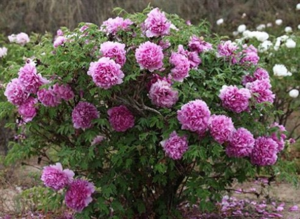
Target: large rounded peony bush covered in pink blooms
x: 184, y: 135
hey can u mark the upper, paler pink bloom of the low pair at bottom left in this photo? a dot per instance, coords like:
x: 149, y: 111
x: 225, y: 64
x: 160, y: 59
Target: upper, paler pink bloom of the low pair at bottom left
x: 55, y: 177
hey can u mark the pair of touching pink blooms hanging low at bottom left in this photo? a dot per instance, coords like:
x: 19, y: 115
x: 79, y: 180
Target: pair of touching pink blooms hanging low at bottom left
x: 79, y: 191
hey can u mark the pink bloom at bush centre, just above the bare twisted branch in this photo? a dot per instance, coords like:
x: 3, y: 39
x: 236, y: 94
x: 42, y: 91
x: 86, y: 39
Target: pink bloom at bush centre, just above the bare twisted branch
x: 162, y: 94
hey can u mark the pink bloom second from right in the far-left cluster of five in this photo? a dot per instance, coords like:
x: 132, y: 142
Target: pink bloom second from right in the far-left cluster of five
x: 48, y: 97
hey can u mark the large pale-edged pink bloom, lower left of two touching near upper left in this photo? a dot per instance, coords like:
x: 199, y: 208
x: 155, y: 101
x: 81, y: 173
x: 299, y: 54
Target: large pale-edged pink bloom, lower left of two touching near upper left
x: 106, y: 73
